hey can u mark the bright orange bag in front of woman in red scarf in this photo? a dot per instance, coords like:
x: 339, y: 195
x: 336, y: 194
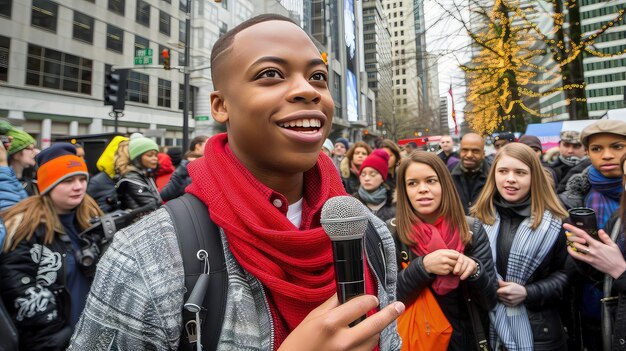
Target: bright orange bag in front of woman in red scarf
x: 423, y: 326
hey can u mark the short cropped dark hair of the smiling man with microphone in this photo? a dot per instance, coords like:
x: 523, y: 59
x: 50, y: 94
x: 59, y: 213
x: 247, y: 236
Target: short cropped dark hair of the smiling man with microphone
x: 225, y: 42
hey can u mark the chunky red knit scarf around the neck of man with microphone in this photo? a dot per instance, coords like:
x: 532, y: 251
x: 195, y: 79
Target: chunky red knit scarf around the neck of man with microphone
x: 294, y: 265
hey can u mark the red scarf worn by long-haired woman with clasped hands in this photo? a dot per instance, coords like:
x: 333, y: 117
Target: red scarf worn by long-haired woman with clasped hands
x: 432, y: 237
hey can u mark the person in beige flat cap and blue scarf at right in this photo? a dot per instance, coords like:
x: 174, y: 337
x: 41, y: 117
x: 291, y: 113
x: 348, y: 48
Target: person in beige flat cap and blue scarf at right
x: 598, y: 187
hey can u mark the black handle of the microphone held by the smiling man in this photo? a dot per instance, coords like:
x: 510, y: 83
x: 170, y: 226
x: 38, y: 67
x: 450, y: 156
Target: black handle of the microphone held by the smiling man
x: 348, y: 257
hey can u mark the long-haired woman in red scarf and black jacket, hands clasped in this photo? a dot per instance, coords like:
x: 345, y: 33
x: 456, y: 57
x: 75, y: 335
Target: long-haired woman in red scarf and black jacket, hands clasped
x: 438, y: 249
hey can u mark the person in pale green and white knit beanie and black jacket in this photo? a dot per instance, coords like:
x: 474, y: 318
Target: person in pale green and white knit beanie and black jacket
x: 136, y: 162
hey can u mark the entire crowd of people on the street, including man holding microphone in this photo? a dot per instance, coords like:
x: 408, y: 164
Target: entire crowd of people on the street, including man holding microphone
x: 489, y: 236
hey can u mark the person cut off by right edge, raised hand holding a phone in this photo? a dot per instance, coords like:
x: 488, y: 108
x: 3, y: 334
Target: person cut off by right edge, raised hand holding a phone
x: 603, y: 262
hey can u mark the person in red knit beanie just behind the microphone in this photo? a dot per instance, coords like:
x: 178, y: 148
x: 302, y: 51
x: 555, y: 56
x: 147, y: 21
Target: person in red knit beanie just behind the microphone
x: 374, y: 191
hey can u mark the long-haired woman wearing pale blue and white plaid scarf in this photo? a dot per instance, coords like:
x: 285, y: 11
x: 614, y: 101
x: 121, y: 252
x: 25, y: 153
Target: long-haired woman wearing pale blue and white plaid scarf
x: 522, y: 216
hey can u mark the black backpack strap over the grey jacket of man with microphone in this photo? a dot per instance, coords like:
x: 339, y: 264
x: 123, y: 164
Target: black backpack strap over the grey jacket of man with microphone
x: 196, y: 231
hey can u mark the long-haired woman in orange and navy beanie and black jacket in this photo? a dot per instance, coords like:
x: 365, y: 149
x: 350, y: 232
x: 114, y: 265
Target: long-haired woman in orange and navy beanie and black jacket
x: 43, y: 271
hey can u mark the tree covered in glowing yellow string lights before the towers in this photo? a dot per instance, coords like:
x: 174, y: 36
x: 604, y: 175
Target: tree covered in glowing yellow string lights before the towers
x: 504, y: 78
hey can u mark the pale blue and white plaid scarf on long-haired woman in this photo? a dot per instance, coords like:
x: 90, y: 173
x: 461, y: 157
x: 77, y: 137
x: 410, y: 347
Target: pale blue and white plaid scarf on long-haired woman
x: 510, y: 326
